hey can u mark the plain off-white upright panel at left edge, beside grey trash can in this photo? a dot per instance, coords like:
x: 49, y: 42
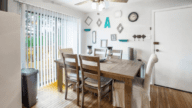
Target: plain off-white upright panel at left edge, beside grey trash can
x: 10, y: 68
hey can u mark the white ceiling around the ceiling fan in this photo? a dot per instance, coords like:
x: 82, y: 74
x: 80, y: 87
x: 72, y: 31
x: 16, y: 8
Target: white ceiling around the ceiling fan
x: 84, y: 7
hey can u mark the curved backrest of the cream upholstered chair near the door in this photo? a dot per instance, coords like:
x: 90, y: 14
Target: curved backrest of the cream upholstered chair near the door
x: 152, y: 60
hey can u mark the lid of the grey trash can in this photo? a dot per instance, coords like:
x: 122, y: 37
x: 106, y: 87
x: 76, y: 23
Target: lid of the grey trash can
x: 28, y: 71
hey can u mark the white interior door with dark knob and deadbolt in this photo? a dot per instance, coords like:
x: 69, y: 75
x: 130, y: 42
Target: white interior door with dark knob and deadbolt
x: 173, y: 30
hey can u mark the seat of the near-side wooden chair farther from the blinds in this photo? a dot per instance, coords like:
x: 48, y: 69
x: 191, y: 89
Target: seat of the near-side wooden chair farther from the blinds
x: 94, y: 83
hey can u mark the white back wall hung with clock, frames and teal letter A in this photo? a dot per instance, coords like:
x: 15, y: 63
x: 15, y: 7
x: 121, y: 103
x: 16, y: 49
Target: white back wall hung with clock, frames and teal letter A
x: 142, y: 26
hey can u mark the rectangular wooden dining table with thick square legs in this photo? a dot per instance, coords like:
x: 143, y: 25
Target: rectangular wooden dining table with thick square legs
x: 122, y: 70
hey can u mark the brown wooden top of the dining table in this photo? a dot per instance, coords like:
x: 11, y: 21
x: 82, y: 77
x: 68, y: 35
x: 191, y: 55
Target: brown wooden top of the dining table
x: 116, y: 67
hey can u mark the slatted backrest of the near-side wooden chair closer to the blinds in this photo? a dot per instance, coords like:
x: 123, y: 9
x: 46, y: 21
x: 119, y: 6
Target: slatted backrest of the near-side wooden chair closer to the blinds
x: 71, y: 64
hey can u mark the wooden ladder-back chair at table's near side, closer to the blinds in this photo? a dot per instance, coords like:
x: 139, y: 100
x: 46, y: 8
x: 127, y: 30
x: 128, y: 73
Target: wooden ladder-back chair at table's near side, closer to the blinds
x: 71, y: 73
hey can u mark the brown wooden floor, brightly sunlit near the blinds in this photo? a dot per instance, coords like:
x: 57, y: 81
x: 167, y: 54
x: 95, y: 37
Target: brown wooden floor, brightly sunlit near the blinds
x: 161, y: 97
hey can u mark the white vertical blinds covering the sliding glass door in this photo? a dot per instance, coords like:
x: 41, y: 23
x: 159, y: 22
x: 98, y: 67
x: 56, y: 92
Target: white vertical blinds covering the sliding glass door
x: 46, y: 33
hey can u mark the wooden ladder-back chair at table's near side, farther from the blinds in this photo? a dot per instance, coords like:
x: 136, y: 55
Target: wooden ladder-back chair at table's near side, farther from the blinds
x: 90, y: 68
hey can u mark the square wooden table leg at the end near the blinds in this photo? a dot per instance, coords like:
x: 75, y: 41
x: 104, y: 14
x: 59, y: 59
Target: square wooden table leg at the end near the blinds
x: 59, y: 77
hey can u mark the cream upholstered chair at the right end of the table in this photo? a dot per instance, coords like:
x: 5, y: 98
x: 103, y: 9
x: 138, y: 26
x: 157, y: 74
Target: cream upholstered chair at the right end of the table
x: 141, y: 87
